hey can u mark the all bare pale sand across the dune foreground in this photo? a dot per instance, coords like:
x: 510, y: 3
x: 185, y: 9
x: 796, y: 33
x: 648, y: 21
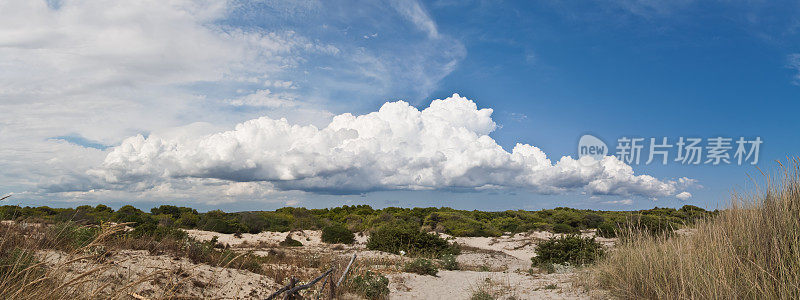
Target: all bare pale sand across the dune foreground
x: 499, y: 266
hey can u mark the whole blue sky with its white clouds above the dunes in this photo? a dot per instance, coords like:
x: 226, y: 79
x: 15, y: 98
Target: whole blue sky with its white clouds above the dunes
x: 139, y: 103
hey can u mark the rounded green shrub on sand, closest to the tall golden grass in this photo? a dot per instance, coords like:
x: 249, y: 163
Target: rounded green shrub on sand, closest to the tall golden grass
x: 571, y: 249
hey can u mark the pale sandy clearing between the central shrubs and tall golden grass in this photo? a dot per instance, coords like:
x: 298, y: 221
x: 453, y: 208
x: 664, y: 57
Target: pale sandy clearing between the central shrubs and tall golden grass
x: 500, y: 266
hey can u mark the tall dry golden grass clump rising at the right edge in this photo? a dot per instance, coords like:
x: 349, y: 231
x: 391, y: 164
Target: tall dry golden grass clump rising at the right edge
x: 749, y: 251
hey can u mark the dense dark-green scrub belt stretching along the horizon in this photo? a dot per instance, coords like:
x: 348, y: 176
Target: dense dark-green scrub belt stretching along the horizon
x: 363, y: 218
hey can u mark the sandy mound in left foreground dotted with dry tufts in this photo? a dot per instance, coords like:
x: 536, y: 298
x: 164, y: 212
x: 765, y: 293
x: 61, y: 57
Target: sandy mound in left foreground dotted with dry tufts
x: 161, y: 276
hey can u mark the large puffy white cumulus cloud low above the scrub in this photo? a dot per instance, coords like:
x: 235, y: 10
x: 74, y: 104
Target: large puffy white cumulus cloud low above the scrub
x: 444, y: 146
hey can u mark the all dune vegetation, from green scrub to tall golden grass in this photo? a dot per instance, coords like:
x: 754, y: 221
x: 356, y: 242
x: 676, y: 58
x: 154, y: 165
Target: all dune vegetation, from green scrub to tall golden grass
x: 751, y: 250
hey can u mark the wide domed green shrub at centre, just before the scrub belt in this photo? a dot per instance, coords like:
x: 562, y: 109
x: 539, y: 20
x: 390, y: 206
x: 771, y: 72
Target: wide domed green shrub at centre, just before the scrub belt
x: 393, y: 239
